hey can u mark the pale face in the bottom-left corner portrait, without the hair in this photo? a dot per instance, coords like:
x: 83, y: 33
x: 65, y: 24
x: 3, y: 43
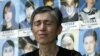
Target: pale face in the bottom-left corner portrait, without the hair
x: 8, y: 51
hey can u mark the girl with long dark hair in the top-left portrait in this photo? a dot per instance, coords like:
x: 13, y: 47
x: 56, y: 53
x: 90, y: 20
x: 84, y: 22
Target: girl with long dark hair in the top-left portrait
x: 8, y: 16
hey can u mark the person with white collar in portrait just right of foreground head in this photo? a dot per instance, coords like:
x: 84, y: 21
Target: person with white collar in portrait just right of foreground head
x: 69, y: 10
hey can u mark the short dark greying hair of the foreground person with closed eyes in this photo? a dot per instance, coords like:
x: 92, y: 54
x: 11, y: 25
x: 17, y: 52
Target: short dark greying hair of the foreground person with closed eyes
x: 43, y: 9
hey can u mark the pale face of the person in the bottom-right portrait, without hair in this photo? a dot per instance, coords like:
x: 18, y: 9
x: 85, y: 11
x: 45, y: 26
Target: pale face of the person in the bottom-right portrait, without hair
x: 89, y: 44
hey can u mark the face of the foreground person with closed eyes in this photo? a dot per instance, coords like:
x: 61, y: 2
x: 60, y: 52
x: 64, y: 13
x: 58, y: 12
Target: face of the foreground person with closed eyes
x: 45, y: 28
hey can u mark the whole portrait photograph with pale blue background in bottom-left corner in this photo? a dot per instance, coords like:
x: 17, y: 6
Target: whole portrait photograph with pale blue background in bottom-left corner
x: 9, y: 47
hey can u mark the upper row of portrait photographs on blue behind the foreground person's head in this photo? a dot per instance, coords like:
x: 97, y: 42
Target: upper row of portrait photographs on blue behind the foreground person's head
x: 17, y: 14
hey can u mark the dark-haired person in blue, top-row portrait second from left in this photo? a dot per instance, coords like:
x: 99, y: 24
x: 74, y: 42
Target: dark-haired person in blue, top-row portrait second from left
x: 29, y: 8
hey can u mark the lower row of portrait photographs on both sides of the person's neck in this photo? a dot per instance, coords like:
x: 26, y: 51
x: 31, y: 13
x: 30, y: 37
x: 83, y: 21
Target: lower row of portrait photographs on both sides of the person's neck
x: 81, y: 40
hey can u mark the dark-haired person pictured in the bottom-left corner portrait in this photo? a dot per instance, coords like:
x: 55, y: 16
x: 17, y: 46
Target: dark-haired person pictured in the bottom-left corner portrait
x: 8, y: 48
